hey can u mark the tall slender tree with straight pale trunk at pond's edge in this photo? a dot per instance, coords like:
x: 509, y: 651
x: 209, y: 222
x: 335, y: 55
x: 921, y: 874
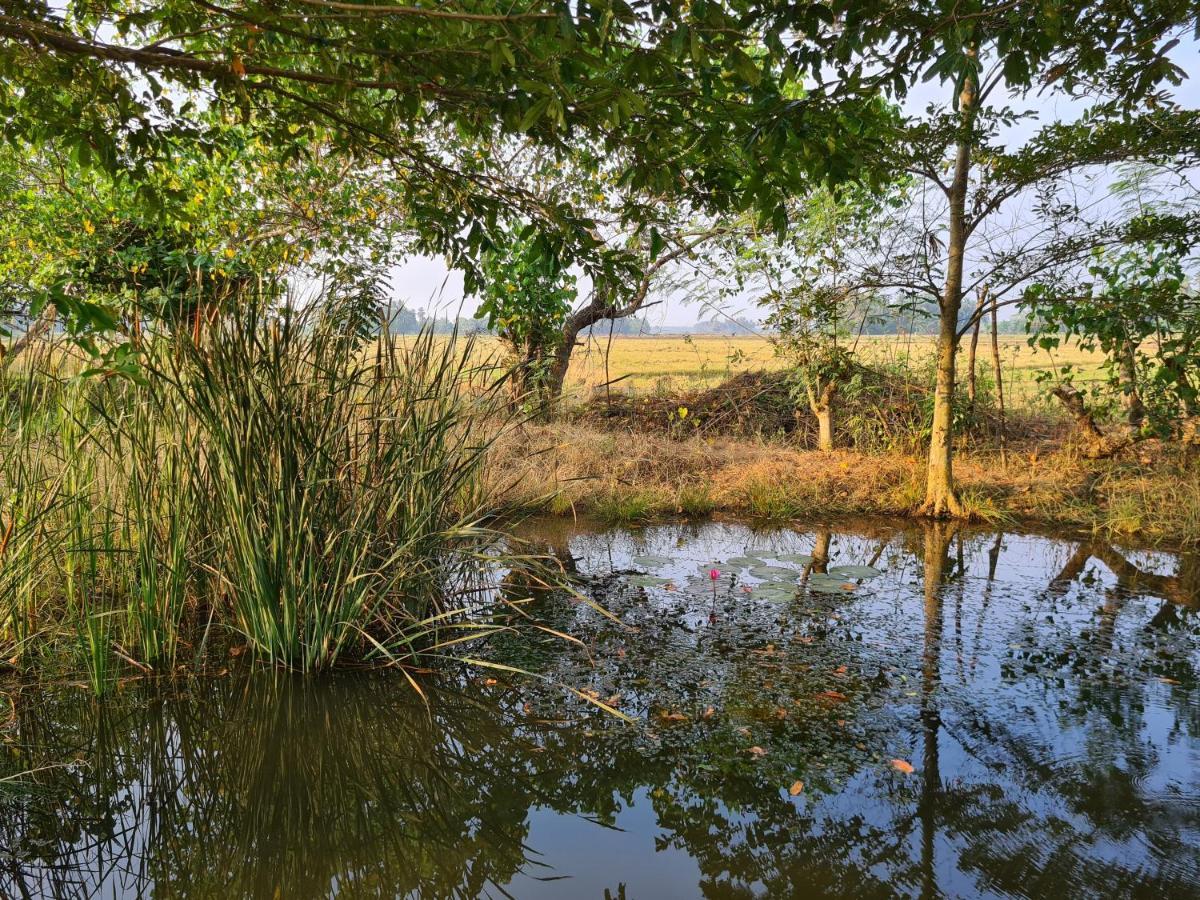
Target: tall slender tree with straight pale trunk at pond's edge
x: 1117, y: 52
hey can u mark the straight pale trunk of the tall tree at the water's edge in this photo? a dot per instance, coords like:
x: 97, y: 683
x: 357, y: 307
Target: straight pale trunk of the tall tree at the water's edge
x: 941, y: 496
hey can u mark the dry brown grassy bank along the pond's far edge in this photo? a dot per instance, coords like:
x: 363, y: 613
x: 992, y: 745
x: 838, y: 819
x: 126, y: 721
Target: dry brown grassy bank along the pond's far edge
x: 626, y: 476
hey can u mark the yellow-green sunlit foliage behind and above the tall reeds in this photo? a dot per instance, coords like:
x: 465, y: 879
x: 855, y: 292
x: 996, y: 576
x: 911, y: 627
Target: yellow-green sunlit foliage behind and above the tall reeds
x: 227, y: 221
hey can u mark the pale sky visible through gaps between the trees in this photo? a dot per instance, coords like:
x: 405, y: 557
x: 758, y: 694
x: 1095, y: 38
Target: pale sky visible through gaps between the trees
x: 429, y: 285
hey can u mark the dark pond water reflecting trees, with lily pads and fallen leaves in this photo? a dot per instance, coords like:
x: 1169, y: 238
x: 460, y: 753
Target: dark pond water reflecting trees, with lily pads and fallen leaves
x: 874, y: 710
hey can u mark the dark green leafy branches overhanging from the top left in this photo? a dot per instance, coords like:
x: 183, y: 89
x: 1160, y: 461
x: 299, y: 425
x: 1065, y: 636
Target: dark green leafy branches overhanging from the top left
x: 430, y: 94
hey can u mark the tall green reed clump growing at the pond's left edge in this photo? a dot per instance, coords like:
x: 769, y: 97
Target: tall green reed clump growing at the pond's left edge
x: 277, y: 483
